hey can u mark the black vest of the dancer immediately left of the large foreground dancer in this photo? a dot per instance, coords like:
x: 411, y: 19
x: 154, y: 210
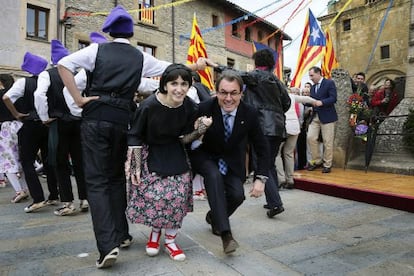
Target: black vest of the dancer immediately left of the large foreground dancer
x: 55, y: 99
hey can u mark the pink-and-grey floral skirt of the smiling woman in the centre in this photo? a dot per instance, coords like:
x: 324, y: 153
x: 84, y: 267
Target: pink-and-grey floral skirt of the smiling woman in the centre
x: 160, y: 202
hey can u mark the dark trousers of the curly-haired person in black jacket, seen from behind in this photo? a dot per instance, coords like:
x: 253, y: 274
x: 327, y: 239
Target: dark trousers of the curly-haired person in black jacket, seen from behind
x: 272, y: 187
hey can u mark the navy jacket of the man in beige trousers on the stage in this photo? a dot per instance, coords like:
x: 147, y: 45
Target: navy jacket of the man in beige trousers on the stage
x: 327, y: 94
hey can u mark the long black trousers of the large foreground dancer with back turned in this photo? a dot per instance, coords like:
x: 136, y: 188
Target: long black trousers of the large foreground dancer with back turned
x: 104, y: 148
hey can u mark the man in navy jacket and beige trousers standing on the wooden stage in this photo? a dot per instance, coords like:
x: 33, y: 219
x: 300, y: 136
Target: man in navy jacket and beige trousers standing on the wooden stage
x: 324, y: 118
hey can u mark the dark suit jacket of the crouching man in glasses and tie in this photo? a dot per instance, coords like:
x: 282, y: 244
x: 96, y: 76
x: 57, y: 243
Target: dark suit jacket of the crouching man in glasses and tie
x: 246, y: 130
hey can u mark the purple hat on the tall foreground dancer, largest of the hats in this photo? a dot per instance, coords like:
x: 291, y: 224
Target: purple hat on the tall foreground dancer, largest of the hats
x: 118, y: 21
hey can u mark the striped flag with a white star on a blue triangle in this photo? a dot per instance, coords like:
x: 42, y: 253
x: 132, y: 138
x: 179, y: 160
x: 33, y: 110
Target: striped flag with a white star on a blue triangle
x: 311, y: 48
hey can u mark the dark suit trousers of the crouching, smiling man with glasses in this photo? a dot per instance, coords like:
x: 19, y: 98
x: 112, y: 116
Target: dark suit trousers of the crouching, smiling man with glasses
x: 225, y: 193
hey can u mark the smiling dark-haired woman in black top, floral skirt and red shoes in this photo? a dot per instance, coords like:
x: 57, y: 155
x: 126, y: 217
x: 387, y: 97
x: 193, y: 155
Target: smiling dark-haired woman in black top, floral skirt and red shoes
x: 161, y: 192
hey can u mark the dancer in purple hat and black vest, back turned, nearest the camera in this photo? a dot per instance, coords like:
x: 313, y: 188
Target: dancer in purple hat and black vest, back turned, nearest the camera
x: 115, y: 69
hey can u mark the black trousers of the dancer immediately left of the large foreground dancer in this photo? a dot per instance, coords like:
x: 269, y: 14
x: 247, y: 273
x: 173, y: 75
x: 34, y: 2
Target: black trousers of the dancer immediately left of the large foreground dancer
x: 69, y: 143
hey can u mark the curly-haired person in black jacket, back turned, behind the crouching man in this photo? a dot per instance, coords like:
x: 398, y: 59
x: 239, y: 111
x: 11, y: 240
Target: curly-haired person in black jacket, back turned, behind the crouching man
x: 269, y: 96
